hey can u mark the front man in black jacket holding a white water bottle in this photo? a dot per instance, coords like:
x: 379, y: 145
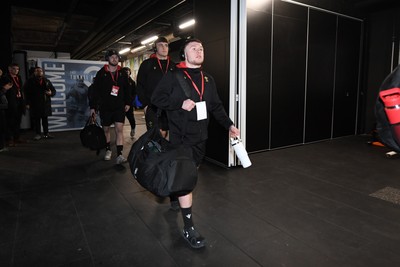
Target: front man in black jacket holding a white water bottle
x: 189, y: 96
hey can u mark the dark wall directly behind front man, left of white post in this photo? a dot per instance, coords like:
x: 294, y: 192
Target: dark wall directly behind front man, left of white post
x: 213, y: 28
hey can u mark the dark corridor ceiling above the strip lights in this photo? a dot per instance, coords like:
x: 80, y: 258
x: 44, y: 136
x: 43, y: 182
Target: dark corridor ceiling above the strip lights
x: 86, y: 28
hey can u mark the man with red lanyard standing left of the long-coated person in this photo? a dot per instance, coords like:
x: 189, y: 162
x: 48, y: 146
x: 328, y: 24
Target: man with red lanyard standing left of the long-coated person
x: 16, y: 106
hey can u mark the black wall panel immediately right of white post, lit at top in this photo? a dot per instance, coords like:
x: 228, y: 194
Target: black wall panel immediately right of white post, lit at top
x: 258, y: 78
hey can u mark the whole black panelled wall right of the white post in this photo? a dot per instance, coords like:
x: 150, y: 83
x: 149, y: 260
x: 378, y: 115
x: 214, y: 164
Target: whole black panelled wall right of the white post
x: 308, y: 90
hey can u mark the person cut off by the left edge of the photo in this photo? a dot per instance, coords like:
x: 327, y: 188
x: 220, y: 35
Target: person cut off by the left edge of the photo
x: 5, y: 85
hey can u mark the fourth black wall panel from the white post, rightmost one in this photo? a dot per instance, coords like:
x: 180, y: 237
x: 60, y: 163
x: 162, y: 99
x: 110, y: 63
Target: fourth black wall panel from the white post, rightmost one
x: 347, y: 72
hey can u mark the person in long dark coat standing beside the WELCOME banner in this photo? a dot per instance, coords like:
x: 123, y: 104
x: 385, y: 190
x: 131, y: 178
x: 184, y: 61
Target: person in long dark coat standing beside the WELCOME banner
x: 38, y: 91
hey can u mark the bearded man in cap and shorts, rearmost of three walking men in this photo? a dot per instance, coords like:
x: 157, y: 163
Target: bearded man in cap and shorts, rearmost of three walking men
x: 111, y: 94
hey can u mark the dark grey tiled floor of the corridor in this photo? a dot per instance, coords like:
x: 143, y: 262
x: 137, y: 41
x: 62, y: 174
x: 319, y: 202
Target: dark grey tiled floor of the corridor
x: 333, y: 203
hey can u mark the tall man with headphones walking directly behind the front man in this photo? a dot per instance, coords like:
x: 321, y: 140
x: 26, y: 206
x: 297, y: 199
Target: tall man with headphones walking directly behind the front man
x: 151, y: 71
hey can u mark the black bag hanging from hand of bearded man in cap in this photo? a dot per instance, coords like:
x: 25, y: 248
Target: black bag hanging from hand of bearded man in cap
x: 92, y: 136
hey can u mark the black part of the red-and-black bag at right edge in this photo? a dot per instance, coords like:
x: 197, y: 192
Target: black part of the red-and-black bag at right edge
x: 383, y: 127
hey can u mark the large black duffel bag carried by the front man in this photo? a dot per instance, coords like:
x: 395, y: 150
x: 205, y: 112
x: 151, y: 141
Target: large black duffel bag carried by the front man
x: 160, y: 167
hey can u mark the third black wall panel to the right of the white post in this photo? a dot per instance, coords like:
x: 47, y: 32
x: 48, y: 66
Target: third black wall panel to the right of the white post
x: 320, y: 75
